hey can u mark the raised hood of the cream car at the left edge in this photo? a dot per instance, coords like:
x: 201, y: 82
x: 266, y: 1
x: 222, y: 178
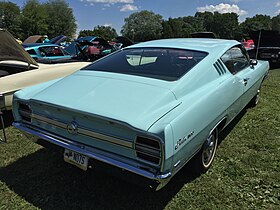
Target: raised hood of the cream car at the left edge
x: 10, y: 50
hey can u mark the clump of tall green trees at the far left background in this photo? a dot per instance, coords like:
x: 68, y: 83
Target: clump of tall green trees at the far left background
x: 53, y: 18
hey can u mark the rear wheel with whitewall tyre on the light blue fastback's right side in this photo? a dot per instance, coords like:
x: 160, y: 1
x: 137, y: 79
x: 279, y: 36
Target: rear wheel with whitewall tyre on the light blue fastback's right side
x: 204, y: 158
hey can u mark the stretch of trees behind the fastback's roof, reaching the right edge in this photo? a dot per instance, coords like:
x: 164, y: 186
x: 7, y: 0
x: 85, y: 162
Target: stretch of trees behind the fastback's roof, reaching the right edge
x: 145, y: 25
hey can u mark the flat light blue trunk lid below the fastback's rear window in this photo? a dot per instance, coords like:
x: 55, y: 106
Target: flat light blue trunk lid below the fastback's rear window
x: 137, y: 103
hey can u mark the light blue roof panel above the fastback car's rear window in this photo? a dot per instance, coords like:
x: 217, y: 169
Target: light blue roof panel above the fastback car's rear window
x: 199, y: 44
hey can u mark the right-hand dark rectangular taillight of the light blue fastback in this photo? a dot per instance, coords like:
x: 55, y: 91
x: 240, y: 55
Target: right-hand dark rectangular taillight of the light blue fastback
x: 148, y: 150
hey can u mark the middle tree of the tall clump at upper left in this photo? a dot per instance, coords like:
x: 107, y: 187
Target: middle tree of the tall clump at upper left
x: 34, y: 18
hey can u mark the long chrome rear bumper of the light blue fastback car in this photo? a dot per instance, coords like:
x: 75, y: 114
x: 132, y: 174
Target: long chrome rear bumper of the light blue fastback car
x: 90, y: 152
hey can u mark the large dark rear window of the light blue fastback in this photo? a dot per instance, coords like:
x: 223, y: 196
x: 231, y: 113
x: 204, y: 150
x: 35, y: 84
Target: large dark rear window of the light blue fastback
x: 159, y: 63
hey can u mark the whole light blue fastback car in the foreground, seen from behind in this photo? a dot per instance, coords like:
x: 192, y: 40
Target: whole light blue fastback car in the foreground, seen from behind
x: 147, y: 109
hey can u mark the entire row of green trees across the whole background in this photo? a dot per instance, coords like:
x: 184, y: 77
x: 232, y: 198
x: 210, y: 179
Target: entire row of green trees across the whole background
x: 55, y: 17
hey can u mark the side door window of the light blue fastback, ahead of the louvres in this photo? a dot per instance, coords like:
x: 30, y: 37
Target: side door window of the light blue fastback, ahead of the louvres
x: 235, y: 60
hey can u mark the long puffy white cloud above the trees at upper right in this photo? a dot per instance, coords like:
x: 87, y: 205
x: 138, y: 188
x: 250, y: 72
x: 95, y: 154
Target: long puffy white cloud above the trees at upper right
x: 222, y: 8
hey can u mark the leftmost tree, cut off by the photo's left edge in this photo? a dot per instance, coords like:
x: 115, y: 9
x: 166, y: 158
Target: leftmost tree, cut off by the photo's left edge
x: 10, y: 17
